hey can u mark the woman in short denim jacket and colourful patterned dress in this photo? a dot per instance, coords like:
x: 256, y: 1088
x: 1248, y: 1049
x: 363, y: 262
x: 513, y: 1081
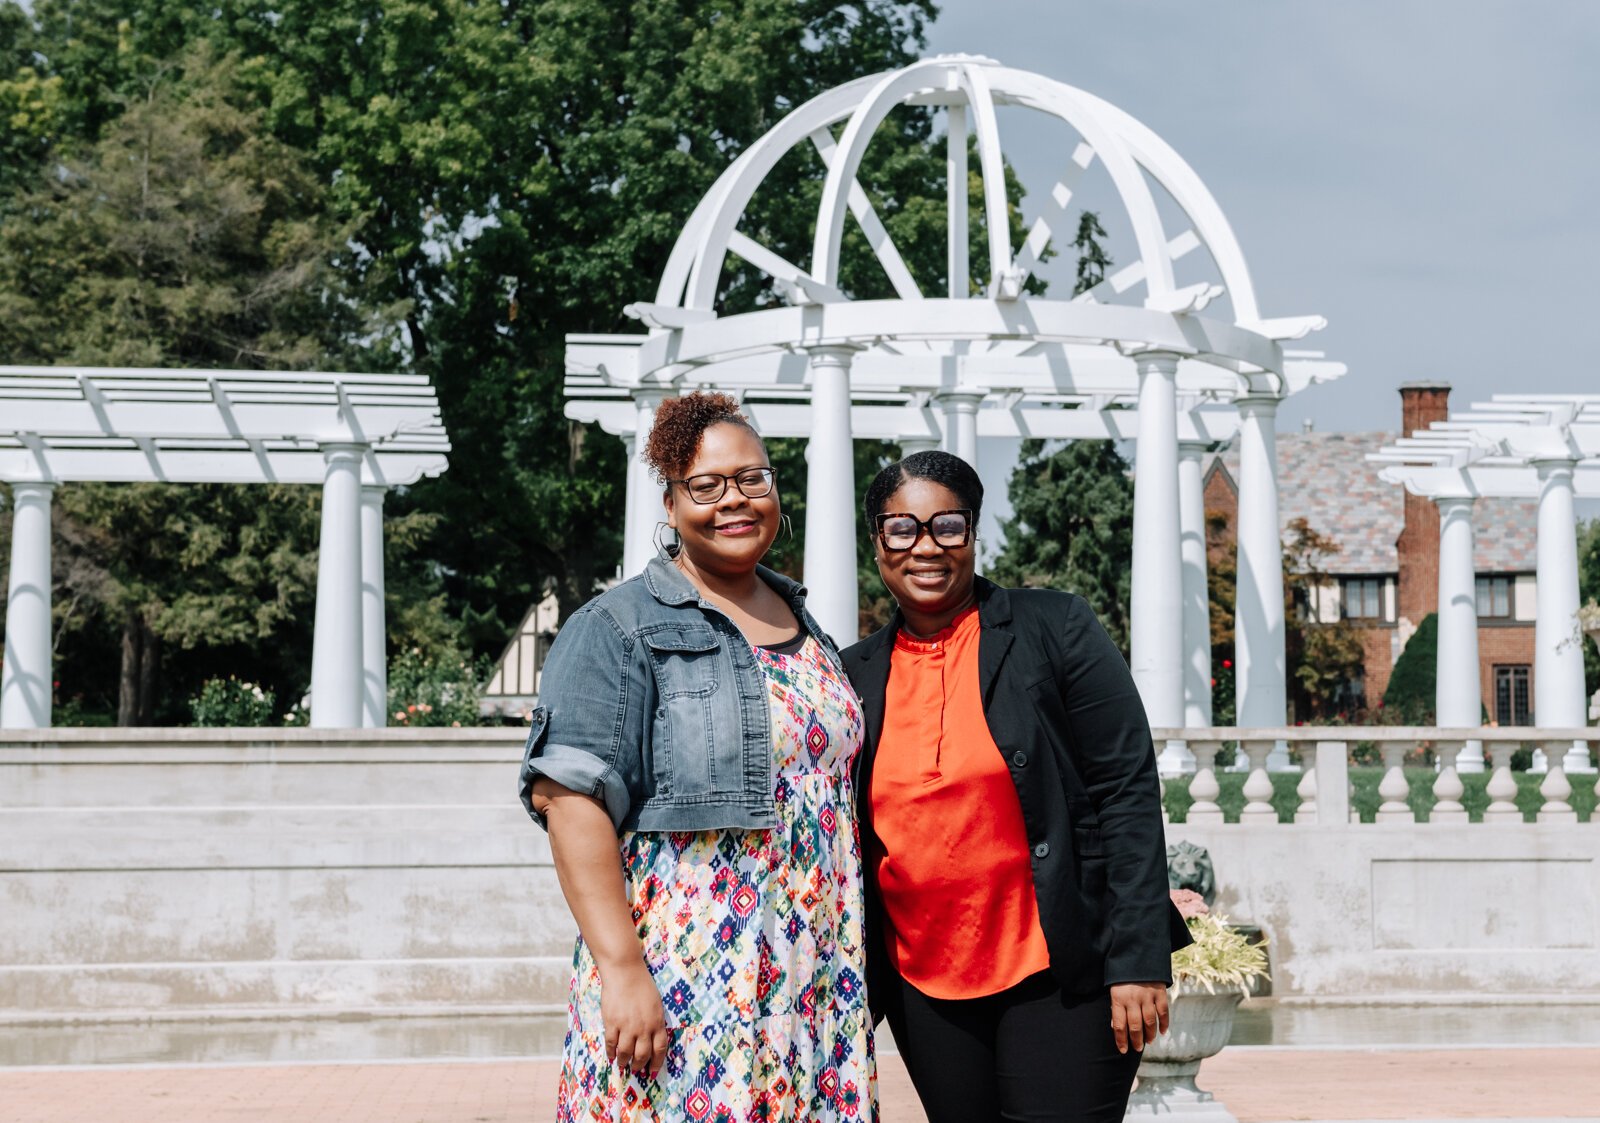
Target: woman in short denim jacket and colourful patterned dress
x: 692, y: 762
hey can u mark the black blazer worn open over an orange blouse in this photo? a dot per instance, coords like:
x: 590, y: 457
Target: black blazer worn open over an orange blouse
x: 1065, y: 713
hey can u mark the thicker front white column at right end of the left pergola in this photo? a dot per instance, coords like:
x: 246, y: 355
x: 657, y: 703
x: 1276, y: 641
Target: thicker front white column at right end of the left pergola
x: 337, y: 645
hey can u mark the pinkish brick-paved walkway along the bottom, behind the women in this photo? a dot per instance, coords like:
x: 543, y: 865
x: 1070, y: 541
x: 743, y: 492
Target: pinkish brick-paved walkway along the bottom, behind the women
x: 1258, y: 1085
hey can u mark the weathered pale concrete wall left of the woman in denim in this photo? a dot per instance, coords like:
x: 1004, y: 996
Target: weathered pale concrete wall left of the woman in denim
x: 198, y: 873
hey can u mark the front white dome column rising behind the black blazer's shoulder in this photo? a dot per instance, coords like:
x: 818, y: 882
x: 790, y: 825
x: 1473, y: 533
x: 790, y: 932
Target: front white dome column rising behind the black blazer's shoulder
x: 1158, y: 610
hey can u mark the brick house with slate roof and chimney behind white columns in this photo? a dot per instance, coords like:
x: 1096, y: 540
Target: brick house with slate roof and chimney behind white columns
x: 1385, y: 577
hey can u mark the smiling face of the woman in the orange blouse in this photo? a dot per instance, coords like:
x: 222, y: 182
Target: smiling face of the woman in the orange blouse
x: 930, y: 583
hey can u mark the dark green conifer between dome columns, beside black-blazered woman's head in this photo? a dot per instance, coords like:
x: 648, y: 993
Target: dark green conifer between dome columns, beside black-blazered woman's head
x: 1073, y: 527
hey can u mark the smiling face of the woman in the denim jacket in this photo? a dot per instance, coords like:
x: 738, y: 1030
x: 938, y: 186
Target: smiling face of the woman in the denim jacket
x: 729, y: 537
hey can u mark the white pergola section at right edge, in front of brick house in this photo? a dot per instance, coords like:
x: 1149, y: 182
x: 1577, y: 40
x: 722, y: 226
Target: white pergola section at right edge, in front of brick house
x: 1516, y: 446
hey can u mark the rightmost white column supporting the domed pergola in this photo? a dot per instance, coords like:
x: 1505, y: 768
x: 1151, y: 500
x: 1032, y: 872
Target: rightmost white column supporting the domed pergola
x: 1258, y: 605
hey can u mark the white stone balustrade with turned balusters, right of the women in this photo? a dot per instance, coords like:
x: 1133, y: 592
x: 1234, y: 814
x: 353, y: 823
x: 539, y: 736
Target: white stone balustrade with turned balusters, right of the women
x: 1326, y: 785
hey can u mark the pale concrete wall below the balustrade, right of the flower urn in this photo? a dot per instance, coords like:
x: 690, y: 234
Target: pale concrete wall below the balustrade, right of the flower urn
x: 1382, y: 911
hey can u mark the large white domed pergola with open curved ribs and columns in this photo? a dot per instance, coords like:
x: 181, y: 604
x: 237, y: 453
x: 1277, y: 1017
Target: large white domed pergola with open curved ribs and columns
x: 998, y: 361
